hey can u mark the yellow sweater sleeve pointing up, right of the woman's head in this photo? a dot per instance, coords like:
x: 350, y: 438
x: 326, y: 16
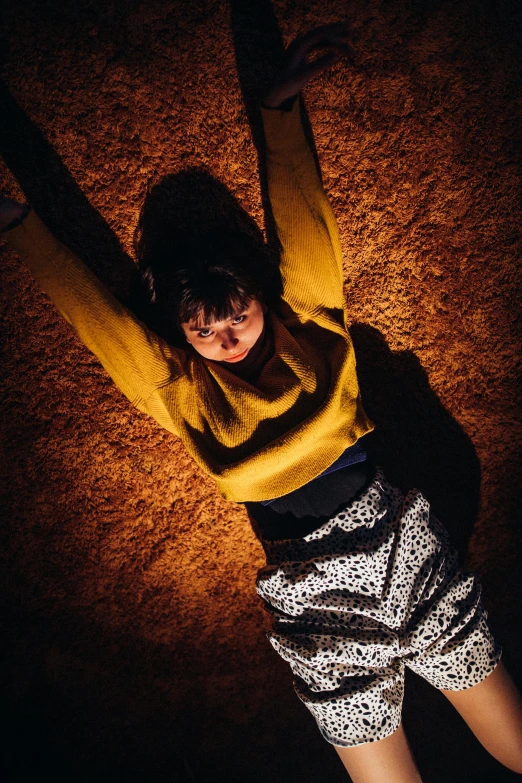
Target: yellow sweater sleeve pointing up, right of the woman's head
x: 311, y: 261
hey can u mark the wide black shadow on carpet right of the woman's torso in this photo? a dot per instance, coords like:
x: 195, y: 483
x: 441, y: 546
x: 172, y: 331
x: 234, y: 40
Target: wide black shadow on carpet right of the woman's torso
x: 416, y: 440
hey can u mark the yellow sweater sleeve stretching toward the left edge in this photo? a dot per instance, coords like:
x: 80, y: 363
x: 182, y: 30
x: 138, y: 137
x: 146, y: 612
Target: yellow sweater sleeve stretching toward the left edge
x: 137, y: 360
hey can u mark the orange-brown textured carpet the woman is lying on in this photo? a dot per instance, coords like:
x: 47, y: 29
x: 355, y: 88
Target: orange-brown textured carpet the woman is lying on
x: 133, y: 642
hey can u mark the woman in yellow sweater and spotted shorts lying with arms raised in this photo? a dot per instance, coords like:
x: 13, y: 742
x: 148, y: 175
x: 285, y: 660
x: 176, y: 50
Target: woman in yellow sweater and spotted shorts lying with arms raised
x: 264, y: 394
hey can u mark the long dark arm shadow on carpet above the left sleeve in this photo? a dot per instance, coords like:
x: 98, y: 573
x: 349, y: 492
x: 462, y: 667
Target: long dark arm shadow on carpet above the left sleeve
x: 56, y: 197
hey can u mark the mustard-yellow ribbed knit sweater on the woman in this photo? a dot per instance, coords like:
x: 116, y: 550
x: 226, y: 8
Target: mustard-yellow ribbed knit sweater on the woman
x: 257, y: 439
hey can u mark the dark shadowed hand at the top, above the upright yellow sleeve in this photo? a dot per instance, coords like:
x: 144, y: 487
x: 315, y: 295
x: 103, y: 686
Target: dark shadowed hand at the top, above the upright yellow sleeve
x: 298, y: 69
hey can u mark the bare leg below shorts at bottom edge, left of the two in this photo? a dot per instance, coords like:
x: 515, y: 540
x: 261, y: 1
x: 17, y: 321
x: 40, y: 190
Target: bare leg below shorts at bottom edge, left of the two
x: 389, y: 760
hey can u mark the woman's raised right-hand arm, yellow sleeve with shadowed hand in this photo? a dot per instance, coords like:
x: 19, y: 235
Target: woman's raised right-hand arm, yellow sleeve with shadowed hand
x: 311, y: 263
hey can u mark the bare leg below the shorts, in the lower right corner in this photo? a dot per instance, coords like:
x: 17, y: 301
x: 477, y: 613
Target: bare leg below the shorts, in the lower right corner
x: 493, y: 711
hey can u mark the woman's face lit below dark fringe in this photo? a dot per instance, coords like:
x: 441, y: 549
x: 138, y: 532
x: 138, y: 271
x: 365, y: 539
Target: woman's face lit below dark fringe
x: 230, y: 340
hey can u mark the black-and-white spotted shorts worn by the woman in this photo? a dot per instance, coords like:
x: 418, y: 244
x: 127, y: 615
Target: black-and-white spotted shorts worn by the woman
x: 376, y: 588
